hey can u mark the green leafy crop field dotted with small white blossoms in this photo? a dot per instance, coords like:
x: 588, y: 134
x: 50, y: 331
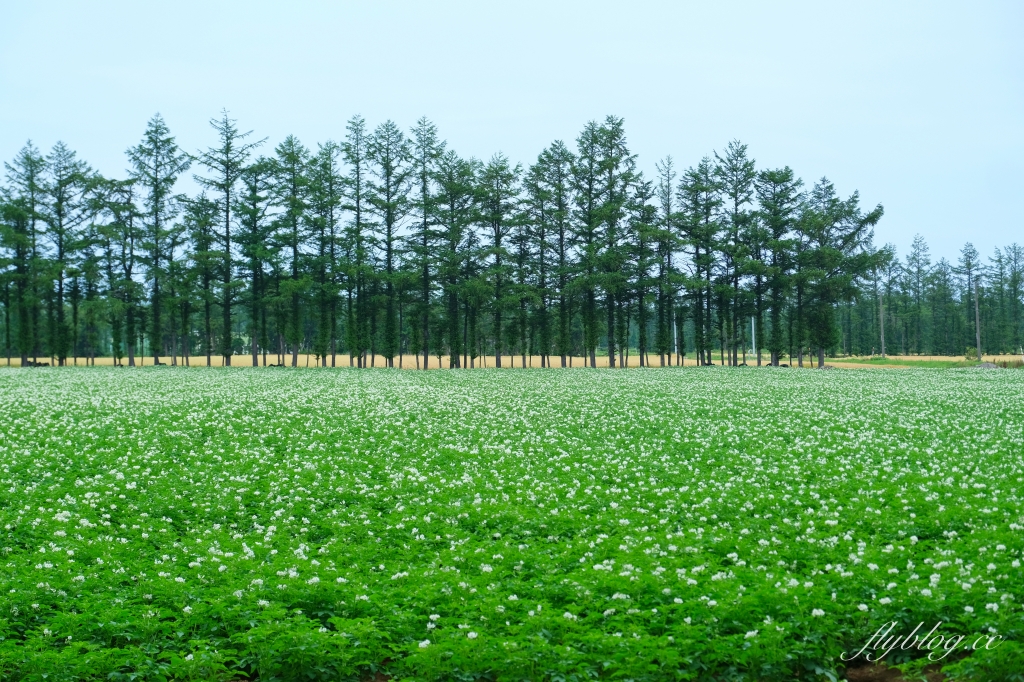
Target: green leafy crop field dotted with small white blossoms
x: 740, y: 525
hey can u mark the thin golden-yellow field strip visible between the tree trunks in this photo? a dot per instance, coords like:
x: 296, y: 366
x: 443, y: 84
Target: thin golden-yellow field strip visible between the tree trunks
x: 410, y: 362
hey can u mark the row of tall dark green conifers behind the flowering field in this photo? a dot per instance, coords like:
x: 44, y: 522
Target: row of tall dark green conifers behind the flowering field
x: 390, y: 243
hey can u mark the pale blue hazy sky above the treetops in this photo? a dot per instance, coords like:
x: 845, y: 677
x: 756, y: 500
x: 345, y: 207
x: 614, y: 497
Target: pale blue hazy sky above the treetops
x: 917, y: 106
